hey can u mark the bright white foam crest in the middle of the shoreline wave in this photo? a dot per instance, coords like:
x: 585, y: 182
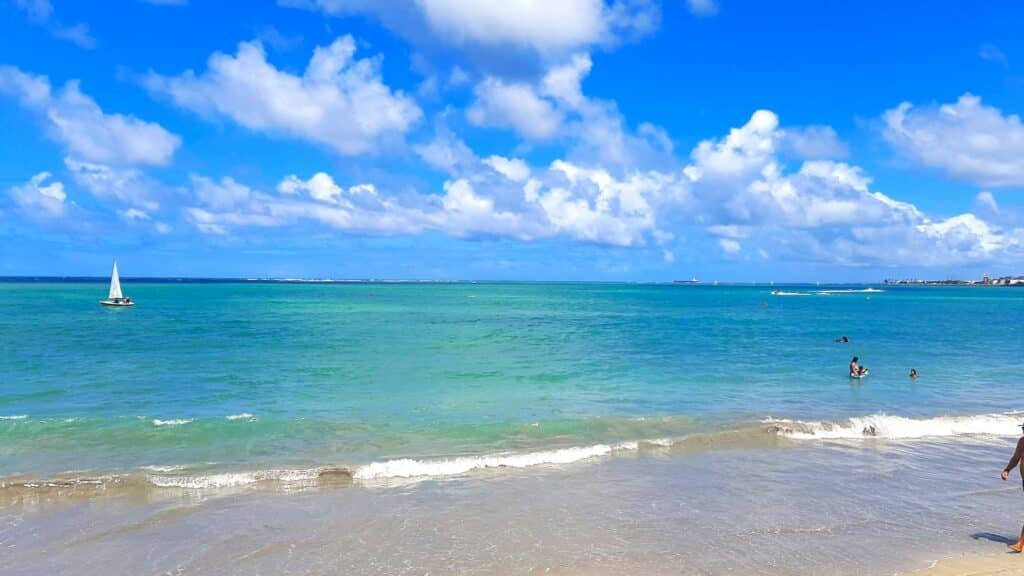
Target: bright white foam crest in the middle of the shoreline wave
x: 408, y: 468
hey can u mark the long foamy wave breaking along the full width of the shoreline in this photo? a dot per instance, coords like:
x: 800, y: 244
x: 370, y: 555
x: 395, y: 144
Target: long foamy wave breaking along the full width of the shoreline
x: 770, y: 433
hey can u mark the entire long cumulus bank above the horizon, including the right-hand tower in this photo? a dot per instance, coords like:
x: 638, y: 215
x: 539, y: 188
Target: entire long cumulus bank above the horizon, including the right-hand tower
x: 737, y: 189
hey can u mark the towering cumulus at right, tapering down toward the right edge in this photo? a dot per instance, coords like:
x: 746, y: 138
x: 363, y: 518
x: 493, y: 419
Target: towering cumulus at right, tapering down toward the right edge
x: 825, y: 211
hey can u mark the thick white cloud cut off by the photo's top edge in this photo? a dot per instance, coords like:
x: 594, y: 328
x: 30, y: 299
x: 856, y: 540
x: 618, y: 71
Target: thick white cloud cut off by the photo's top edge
x: 536, y: 25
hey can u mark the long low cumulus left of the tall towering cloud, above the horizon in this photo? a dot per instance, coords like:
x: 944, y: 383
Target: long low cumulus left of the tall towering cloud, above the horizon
x: 566, y: 200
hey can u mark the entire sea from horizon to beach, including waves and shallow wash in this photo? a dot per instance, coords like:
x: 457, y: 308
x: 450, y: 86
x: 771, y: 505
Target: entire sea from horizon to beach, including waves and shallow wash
x: 568, y: 427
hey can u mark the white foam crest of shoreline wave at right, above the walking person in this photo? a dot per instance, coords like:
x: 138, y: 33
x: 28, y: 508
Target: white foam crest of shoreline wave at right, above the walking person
x: 882, y: 426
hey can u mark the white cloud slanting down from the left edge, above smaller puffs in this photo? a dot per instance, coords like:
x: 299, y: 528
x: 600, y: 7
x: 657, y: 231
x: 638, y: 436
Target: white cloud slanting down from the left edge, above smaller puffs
x: 87, y: 132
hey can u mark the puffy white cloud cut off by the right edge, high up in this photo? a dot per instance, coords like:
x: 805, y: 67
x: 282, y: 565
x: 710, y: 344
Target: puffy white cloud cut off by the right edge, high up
x: 968, y: 140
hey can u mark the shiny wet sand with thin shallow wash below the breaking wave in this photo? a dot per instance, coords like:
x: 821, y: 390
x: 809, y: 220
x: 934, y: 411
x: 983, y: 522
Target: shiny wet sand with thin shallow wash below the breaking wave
x: 836, y: 509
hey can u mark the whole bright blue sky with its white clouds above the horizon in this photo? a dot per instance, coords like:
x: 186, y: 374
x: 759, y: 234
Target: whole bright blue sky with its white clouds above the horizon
x: 580, y: 140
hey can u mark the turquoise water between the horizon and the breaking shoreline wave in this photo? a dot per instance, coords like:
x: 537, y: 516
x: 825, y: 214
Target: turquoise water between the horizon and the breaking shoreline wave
x: 347, y: 375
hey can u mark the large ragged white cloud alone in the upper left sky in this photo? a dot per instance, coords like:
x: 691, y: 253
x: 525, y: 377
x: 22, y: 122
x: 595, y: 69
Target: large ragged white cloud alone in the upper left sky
x: 339, y: 102
